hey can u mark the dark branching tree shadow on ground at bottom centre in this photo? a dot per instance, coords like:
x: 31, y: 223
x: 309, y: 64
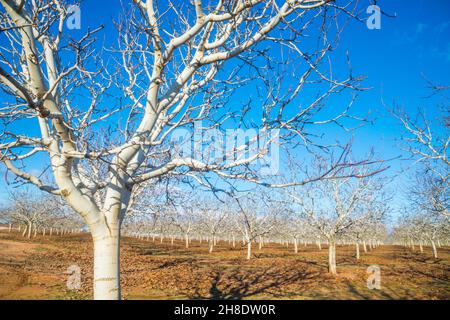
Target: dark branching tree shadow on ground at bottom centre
x: 237, y: 284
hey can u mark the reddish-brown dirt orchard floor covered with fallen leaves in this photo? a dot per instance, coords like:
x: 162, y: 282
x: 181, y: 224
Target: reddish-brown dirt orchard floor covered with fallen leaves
x: 37, y: 269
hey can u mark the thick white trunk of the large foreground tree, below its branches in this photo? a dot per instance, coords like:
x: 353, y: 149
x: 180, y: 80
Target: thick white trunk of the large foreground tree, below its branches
x: 107, y: 265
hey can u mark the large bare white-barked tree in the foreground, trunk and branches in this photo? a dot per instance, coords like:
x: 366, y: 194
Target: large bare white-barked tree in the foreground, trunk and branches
x: 174, y: 72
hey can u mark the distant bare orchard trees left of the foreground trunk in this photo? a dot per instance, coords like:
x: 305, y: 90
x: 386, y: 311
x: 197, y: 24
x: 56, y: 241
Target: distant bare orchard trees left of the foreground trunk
x: 30, y: 213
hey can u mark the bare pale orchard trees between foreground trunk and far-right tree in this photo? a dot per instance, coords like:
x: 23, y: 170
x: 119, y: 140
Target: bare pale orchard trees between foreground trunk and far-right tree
x: 345, y: 211
